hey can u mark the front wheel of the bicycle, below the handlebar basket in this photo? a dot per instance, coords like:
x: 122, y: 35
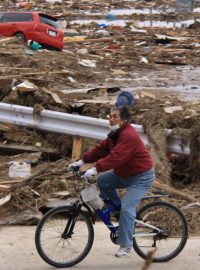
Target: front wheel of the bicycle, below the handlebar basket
x: 53, y: 248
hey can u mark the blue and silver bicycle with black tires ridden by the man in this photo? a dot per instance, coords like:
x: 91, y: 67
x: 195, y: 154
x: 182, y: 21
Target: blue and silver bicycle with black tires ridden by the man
x: 65, y: 234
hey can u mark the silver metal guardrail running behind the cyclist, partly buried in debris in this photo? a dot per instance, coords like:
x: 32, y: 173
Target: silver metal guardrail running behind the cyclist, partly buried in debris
x: 75, y: 125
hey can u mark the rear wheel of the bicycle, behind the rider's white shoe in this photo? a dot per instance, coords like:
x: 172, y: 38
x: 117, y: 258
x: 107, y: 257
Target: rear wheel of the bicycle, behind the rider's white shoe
x: 174, y: 237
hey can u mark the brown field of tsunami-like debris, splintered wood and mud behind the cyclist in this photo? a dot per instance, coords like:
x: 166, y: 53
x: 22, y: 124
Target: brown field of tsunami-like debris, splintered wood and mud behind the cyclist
x: 107, y: 49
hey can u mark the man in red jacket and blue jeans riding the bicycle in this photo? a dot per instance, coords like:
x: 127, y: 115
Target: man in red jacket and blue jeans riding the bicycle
x: 122, y: 162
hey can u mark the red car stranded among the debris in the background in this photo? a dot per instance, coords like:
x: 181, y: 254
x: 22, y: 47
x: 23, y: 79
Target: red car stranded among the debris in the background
x: 34, y: 26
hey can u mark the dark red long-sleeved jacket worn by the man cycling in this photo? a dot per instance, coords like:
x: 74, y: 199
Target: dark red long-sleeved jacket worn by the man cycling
x: 126, y: 154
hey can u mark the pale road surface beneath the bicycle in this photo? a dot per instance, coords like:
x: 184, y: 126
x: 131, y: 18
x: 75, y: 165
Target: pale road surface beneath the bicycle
x: 17, y: 251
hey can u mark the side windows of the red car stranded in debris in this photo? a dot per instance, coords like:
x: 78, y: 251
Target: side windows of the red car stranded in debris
x: 16, y: 17
